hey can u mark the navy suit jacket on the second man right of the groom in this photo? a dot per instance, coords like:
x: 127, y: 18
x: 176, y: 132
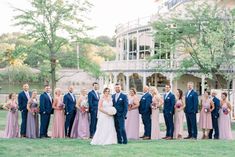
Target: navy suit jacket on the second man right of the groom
x: 169, y: 103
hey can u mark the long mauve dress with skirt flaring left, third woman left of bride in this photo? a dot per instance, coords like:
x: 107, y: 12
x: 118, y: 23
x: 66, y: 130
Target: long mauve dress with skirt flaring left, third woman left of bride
x: 80, y: 127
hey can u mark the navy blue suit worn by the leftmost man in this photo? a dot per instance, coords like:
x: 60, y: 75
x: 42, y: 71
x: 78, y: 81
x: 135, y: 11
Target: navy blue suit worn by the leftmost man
x: 22, y: 101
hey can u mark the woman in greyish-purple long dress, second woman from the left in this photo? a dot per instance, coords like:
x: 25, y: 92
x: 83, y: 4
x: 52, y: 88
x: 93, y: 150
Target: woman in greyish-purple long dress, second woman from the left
x: 32, y: 129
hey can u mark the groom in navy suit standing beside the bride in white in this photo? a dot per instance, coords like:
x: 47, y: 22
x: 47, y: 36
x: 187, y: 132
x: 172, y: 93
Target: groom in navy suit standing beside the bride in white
x: 120, y: 102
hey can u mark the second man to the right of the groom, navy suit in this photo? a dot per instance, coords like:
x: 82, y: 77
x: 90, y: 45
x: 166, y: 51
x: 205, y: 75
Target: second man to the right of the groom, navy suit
x: 168, y: 111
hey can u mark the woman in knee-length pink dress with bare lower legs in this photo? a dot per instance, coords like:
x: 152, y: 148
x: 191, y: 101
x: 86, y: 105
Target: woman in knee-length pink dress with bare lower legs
x: 205, y: 120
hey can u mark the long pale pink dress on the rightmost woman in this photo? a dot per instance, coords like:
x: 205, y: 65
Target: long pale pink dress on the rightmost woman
x: 225, y: 131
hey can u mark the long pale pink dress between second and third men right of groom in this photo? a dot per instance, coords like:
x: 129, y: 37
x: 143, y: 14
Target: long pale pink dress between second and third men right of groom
x: 178, y: 119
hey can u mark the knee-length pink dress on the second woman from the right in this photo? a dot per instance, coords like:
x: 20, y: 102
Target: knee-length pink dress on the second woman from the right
x: 205, y: 121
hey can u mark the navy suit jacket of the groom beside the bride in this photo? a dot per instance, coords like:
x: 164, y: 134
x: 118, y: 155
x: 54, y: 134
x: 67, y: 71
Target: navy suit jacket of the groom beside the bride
x: 121, y: 105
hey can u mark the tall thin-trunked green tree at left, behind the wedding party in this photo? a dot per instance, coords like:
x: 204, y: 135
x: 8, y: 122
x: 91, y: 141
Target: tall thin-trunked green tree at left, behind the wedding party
x: 54, y: 23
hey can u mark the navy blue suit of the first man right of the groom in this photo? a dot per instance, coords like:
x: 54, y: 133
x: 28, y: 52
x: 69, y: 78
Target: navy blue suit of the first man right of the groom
x: 145, y: 111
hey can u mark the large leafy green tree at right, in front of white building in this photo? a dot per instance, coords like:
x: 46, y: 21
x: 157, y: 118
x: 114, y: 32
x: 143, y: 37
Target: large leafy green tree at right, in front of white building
x: 206, y: 34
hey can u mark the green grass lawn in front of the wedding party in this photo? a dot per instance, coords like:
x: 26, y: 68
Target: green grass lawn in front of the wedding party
x: 82, y: 148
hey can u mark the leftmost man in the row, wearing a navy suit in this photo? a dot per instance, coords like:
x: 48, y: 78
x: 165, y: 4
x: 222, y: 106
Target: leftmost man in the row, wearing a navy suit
x: 23, y: 98
